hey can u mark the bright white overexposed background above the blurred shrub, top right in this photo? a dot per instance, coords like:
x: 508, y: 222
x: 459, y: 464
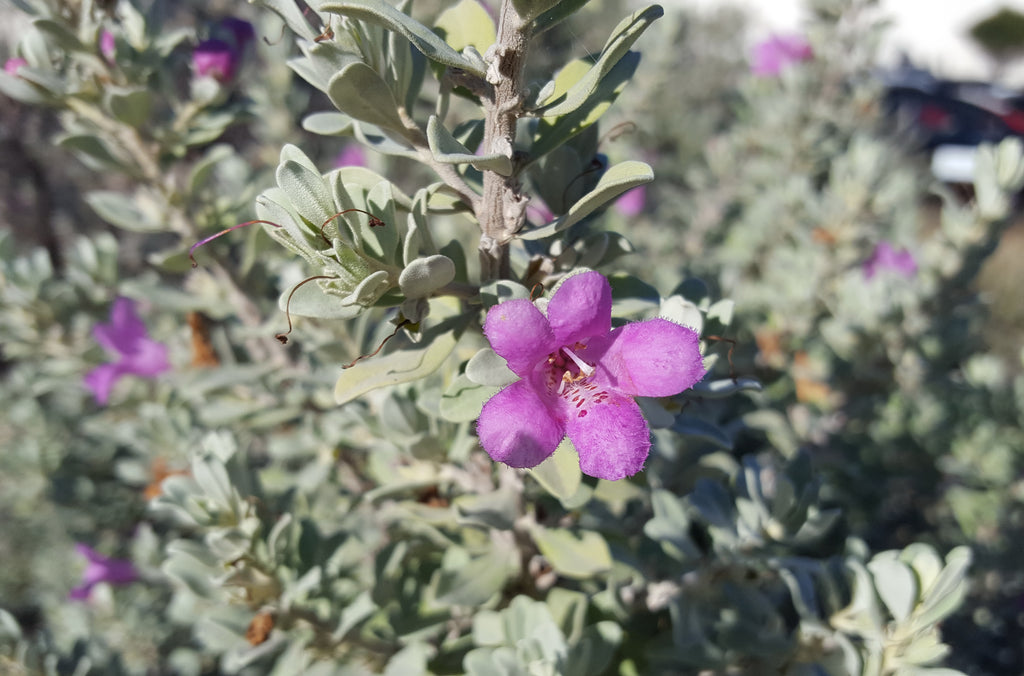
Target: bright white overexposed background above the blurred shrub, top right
x: 932, y: 32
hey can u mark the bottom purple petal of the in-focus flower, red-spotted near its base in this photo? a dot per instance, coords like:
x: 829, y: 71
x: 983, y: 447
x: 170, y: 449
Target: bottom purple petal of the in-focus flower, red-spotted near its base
x: 613, y: 440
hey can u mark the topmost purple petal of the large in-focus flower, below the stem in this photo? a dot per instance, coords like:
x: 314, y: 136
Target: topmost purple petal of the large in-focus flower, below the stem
x: 581, y: 309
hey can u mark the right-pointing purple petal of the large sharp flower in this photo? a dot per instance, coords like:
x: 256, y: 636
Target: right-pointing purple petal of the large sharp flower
x: 657, y: 358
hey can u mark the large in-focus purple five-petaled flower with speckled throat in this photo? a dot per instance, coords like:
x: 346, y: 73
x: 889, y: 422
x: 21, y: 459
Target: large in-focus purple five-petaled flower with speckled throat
x: 579, y: 377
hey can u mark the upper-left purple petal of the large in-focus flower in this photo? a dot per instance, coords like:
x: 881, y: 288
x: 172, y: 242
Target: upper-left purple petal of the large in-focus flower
x: 521, y: 334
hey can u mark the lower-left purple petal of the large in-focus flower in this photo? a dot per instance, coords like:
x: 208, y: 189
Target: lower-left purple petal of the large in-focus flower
x: 517, y: 428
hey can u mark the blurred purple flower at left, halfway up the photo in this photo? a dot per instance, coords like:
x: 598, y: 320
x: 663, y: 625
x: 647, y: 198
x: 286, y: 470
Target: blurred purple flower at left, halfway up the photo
x: 138, y: 354
